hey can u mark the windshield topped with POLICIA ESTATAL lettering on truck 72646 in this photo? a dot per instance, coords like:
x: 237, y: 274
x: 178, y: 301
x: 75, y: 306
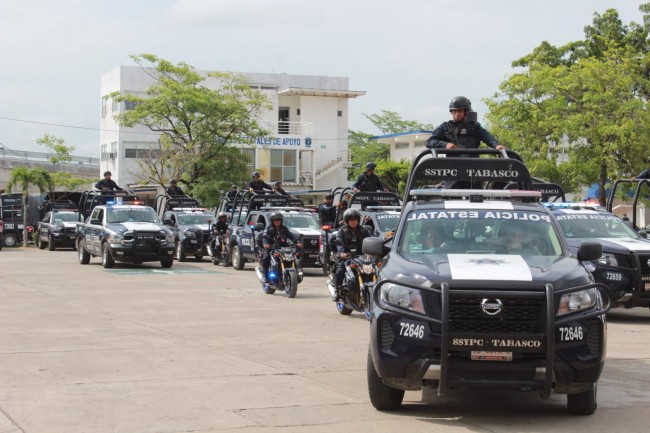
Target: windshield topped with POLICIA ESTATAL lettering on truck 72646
x: 479, y: 232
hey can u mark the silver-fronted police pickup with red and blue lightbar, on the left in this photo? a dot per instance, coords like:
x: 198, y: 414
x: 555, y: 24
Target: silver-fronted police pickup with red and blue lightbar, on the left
x: 130, y: 233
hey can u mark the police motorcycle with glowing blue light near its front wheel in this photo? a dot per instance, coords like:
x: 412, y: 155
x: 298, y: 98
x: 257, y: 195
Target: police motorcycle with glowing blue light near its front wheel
x: 283, y: 273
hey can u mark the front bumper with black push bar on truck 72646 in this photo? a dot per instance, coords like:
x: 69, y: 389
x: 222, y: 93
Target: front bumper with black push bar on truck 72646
x: 409, y: 349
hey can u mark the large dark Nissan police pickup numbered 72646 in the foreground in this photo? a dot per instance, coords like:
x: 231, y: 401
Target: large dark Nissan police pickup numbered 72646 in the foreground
x: 478, y: 289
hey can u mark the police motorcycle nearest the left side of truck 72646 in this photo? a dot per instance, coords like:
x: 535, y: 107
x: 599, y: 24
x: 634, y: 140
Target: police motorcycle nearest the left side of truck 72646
x: 358, y: 283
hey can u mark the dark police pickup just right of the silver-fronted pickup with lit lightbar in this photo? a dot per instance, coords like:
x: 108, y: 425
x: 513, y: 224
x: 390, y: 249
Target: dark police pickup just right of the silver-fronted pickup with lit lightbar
x: 191, y: 223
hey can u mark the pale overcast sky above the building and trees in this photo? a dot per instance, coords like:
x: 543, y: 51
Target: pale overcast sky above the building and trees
x: 409, y: 56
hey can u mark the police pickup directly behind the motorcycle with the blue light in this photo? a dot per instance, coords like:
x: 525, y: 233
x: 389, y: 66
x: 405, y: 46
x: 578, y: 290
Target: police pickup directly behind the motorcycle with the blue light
x: 242, y: 236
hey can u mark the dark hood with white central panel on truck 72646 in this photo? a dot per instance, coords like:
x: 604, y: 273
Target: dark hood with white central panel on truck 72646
x: 485, y: 270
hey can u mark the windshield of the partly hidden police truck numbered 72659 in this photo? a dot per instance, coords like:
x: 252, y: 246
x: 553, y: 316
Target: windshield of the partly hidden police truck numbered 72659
x: 594, y: 225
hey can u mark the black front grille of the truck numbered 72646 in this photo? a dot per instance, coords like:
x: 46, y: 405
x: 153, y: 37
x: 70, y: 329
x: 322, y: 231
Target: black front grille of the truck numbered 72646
x: 518, y: 316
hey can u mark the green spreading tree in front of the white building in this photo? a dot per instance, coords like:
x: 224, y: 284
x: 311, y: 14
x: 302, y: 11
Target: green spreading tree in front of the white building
x: 196, y: 123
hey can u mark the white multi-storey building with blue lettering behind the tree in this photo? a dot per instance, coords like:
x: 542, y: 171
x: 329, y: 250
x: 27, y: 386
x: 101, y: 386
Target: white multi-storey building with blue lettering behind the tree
x: 308, y: 125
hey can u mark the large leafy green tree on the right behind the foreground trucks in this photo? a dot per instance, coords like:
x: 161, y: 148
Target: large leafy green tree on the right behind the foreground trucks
x: 590, y: 94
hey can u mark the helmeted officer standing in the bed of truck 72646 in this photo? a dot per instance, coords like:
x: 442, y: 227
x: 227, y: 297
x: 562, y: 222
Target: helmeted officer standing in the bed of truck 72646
x: 461, y: 132
